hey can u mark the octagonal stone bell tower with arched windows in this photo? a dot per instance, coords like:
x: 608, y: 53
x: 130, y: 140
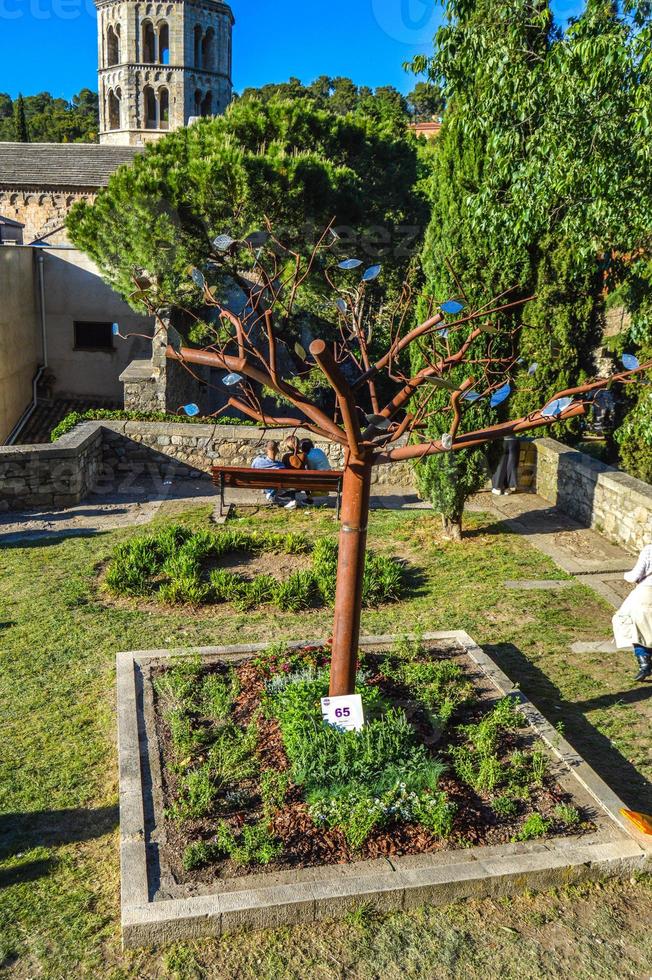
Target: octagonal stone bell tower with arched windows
x: 160, y: 65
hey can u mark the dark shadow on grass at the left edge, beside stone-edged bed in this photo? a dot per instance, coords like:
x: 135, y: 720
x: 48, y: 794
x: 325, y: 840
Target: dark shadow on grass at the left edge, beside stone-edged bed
x: 52, y: 828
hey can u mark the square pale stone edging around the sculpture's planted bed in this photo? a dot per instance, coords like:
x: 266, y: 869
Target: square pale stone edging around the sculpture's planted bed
x: 402, y: 882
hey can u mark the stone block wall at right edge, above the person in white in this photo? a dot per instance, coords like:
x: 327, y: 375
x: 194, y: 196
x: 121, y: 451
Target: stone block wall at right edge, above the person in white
x: 595, y: 494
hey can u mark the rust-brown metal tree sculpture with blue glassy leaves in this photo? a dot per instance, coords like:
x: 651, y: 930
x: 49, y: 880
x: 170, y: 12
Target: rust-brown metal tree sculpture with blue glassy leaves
x: 254, y: 347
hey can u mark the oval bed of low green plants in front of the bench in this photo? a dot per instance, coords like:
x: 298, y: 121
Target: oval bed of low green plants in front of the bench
x: 180, y: 566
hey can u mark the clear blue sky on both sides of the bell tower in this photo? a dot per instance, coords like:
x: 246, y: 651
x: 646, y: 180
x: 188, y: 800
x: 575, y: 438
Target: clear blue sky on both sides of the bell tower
x: 50, y: 45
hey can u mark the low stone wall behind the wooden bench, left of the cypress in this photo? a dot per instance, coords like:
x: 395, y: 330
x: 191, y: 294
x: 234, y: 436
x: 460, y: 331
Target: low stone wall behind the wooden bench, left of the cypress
x: 109, y: 457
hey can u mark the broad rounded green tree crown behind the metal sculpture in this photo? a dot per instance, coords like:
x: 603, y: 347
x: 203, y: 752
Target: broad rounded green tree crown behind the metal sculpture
x: 297, y: 166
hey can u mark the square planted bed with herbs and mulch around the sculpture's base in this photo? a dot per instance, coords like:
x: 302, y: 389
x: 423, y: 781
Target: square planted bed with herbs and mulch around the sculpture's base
x: 252, y: 777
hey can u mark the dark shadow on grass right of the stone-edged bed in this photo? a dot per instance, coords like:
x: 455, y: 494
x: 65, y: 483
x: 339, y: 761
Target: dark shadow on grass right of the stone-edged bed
x: 597, y: 749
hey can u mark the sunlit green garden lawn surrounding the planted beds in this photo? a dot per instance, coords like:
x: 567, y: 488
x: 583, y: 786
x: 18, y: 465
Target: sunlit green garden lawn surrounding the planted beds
x: 59, y: 875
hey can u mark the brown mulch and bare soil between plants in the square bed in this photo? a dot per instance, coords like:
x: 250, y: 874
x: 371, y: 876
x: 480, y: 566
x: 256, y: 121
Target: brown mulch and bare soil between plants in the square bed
x: 306, y: 844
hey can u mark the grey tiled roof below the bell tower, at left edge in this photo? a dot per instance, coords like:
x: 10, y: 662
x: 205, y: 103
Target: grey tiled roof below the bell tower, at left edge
x: 61, y: 164
